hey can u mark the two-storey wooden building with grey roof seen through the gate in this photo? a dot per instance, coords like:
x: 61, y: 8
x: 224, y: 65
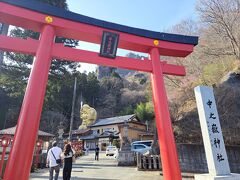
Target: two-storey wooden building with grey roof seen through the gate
x: 105, y: 129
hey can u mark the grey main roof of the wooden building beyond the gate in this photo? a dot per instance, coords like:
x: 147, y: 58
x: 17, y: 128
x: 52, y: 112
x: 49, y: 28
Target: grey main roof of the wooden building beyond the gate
x: 114, y: 120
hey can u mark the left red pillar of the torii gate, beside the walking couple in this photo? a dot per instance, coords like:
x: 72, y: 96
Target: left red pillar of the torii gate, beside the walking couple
x: 30, y: 114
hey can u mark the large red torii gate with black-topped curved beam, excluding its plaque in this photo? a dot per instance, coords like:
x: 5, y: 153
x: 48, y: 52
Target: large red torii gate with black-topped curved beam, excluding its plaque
x: 51, y: 22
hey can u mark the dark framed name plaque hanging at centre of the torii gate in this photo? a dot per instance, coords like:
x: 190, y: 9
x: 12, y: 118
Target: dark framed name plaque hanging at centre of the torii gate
x: 109, y: 44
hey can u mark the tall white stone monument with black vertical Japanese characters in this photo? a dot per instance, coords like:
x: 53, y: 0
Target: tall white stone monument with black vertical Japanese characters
x: 216, y: 155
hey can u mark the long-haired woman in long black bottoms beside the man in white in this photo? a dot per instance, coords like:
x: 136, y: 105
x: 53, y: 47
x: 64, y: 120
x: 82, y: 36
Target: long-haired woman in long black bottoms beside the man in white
x: 67, y: 156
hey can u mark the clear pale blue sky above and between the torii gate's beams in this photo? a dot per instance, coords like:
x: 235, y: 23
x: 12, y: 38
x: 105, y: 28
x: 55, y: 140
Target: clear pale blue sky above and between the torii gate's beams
x: 156, y: 15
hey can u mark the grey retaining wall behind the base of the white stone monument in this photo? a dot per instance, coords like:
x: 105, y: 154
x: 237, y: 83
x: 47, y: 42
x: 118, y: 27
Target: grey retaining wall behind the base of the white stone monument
x: 192, y: 158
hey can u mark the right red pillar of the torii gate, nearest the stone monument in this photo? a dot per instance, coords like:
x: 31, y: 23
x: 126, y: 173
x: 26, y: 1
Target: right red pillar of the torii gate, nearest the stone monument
x: 166, y: 140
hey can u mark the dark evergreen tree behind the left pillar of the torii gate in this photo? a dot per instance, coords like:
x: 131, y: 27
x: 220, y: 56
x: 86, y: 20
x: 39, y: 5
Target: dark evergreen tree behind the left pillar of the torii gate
x: 16, y: 69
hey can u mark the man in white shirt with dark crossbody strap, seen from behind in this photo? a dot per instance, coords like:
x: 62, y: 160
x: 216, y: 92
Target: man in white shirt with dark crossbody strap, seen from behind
x: 53, y: 158
